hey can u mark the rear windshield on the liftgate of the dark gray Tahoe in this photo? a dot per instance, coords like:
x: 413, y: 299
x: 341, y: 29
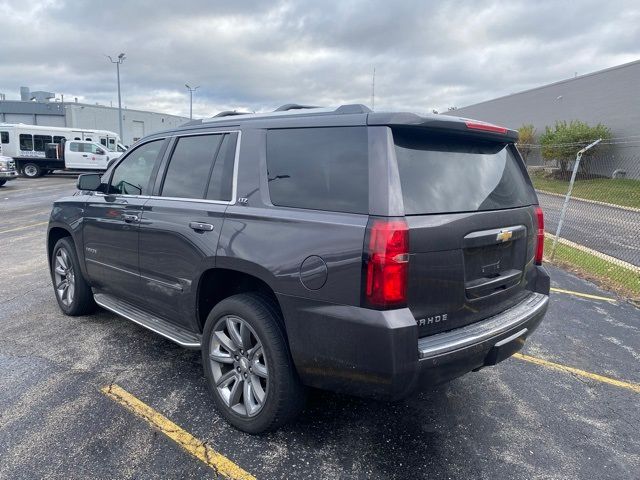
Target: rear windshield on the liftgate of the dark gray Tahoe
x: 451, y: 174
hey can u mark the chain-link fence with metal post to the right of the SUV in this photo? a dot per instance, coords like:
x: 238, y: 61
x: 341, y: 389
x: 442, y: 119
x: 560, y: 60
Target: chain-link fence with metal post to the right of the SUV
x: 599, y: 220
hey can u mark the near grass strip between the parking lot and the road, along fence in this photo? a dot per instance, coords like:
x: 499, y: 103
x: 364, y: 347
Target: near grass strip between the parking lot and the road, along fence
x: 609, y: 275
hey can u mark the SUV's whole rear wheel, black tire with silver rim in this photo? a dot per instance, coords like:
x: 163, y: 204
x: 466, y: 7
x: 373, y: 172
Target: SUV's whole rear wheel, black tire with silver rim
x: 256, y: 321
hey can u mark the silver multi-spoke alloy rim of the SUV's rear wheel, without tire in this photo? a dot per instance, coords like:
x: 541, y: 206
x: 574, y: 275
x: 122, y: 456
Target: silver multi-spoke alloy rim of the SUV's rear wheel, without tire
x: 239, y: 366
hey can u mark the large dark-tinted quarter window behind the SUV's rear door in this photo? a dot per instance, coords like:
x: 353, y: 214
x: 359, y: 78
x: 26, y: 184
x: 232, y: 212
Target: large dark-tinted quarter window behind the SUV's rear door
x: 319, y: 168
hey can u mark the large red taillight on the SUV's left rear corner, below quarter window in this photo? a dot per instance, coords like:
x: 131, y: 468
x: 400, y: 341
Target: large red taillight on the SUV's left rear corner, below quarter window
x: 386, y: 263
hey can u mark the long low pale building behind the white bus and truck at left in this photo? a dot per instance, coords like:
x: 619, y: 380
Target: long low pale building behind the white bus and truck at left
x: 42, y: 108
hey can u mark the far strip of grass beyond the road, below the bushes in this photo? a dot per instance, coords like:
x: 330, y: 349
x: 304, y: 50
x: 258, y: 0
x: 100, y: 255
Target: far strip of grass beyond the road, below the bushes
x: 619, y: 191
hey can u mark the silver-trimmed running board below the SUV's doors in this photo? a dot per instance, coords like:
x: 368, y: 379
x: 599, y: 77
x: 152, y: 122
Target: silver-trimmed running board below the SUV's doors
x: 158, y: 325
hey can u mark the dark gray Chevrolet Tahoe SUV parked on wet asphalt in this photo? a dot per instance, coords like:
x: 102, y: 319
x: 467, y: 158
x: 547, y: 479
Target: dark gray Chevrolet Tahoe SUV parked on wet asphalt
x: 368, y: 253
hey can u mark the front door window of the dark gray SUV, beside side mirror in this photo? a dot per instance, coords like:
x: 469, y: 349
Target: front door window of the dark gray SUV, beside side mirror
x: 132, y: 175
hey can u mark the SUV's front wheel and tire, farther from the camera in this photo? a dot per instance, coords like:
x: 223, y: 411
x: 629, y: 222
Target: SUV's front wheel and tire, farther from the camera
x: 72, y: 291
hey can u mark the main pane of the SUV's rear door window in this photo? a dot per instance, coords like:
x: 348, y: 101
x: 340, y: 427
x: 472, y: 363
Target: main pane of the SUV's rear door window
x: 190, y: 165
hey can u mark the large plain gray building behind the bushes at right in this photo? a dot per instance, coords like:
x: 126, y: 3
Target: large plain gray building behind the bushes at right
x: 610, y: 97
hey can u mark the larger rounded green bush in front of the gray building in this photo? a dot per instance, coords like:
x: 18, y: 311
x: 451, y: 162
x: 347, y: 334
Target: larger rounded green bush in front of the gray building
x: 563, y: 142
